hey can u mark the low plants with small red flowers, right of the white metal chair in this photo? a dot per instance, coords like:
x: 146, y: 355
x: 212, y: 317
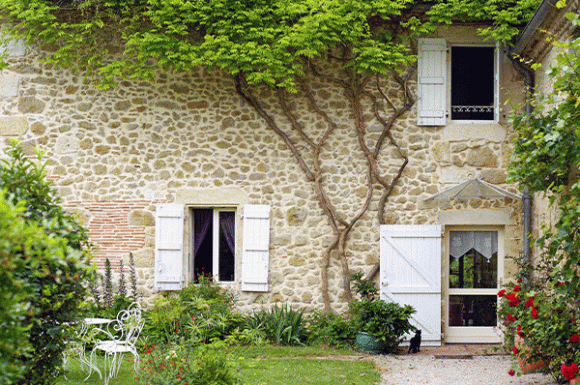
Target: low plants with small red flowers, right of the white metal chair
x: 188, y: 365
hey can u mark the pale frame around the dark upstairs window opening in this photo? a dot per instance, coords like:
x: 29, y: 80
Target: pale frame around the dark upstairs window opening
x: 496, y: 64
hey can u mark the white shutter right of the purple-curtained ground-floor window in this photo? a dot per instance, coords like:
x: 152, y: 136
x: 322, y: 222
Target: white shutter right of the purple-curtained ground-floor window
x: 256, y: 250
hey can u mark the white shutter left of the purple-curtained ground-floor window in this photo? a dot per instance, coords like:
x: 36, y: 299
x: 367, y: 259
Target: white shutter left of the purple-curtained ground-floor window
x: 169, y: 219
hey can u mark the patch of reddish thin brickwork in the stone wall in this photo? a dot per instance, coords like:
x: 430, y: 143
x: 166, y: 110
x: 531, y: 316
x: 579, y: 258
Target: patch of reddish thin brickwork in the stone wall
x: 109, y: 228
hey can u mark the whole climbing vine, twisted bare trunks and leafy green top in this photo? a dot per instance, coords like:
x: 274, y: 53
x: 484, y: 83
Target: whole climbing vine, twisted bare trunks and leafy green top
x: 356, y: 47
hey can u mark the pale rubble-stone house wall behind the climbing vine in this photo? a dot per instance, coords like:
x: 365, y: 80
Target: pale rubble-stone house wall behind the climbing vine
x: 188, y: 138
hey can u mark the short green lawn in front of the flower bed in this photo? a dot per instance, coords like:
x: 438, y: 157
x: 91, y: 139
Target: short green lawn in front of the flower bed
x: 271, y: 365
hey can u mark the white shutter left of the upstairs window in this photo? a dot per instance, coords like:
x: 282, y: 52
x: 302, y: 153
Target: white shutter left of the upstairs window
x: 431, y: 82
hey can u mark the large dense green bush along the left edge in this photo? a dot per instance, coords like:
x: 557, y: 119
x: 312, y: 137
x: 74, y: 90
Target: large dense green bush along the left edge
x: 45, y: 264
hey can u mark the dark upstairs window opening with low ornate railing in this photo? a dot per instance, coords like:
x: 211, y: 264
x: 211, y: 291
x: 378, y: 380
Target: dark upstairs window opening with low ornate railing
x: 472, y: 83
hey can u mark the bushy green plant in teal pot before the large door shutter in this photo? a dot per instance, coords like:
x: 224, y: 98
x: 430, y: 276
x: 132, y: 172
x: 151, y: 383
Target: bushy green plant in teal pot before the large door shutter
x: 381, y: 325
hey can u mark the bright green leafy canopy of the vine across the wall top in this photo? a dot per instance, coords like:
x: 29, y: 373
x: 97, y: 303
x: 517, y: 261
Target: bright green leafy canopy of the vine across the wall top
x: 266, y: 41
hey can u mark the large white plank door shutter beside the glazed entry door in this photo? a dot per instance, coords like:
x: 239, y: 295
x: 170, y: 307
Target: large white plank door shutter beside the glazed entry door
x: 411, y: 274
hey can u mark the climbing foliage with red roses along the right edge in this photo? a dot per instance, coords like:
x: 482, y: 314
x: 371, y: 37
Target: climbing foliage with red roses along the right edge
x: 547, y: 159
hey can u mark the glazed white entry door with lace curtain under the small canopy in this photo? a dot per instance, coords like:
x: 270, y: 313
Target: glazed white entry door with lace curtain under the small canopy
x: 475, y: 272
